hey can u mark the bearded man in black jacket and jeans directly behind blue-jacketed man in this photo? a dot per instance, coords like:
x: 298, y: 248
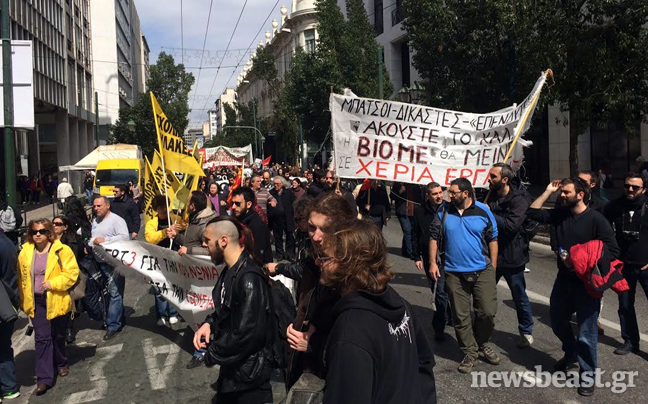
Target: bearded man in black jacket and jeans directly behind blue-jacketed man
x: 509, y: 205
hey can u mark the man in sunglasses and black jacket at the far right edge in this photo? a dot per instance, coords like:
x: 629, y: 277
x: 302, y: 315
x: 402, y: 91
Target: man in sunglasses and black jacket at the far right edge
x: 630, y: 222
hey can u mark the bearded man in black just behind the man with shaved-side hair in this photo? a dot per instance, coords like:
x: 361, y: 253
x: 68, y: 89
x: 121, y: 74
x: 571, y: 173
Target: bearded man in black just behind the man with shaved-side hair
x: 243, y: 202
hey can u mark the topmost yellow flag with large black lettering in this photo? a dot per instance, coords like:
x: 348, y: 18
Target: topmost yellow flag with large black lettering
x: 172, y: 147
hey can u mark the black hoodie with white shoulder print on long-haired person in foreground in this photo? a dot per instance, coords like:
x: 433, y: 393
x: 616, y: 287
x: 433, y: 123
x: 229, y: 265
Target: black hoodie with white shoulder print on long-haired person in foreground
x: 377, y: 352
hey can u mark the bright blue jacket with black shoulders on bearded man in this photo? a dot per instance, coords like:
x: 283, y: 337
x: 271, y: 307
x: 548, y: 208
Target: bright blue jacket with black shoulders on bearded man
x: 465, y: 237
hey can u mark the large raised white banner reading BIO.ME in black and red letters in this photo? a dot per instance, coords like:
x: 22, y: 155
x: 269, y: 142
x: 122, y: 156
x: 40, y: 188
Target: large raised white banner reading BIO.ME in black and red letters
x: 394, y: 141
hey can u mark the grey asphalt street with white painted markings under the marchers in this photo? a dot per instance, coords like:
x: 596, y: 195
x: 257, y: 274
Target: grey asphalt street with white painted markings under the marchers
x: 146, y: 363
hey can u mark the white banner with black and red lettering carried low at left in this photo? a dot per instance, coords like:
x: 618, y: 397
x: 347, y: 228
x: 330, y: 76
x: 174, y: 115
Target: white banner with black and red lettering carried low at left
x: 183, y: 280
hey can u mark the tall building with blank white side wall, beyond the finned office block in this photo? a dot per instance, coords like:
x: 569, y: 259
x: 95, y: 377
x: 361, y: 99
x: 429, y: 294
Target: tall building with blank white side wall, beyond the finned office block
x: 120, y: 58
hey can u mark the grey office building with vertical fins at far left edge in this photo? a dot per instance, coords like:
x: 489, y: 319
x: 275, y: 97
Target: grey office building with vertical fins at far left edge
x: 64, y: 131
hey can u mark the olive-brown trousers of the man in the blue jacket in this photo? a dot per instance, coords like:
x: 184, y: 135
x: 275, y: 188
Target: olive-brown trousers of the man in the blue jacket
x: 473, y: 335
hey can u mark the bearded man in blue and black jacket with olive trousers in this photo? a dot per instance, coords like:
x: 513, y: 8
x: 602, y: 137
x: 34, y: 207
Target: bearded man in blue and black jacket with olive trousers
x: 467, y: 232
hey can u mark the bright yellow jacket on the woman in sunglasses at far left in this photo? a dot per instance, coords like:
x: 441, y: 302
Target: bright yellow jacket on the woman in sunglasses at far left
x: 62, y: 279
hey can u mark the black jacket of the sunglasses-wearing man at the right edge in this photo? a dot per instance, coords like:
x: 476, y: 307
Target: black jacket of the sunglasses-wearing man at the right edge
x: 631, y: 230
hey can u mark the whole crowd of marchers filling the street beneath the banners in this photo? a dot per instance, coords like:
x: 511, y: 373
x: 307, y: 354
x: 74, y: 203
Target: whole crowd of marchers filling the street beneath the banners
x: 353, y: 338
